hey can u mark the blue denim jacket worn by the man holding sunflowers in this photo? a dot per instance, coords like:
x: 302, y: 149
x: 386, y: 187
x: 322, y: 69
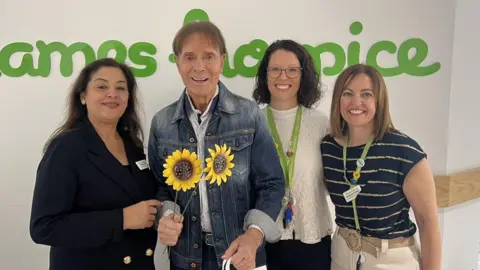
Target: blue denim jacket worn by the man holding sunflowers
x: 251, y: 196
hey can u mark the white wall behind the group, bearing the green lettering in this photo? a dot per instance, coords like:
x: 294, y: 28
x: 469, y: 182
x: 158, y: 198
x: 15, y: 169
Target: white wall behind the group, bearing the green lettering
x: 34, y: 106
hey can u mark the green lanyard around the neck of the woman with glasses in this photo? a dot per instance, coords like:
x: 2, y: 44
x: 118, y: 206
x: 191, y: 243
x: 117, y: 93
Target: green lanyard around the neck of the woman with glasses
x: 287, y: 162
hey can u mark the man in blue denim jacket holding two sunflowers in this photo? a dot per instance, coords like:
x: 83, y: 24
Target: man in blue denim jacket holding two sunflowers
x: 234, y: 219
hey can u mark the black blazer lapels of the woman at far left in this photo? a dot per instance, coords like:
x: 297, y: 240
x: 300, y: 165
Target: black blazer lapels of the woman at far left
x: 108, y: 164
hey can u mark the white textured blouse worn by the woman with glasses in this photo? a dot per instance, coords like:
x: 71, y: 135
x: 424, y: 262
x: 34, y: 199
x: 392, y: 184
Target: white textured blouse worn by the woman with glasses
x: 312, y: 219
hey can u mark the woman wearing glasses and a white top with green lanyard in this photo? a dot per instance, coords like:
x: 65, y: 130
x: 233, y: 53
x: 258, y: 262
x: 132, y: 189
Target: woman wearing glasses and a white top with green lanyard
x: 289, y: 85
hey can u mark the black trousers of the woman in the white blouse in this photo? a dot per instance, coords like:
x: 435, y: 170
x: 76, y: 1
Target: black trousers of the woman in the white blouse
x: 295, y: 255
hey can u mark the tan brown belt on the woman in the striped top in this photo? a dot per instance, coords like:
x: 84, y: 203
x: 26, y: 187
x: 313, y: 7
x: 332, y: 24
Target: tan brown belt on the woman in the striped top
x: 371, y: 245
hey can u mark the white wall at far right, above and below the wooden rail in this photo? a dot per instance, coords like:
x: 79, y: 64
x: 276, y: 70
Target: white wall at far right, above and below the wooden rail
x: 461, y: 236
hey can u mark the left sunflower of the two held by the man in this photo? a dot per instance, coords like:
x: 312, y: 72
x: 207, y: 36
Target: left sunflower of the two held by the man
x: 182, y: 170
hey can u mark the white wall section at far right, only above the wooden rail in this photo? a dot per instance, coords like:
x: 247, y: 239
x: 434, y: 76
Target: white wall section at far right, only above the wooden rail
x: 463, y: 150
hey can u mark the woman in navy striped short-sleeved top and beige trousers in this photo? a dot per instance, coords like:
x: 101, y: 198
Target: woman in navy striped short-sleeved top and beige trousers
x: 374, y: 174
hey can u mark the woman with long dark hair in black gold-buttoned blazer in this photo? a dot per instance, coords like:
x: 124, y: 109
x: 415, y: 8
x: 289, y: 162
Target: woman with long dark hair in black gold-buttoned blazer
x: 94, y: 199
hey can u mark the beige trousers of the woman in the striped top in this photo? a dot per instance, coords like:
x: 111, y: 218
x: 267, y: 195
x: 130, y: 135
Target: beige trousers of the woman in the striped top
x: 343, y: 258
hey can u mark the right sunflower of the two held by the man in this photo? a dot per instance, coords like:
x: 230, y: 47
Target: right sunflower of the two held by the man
x: 219, y: 164
